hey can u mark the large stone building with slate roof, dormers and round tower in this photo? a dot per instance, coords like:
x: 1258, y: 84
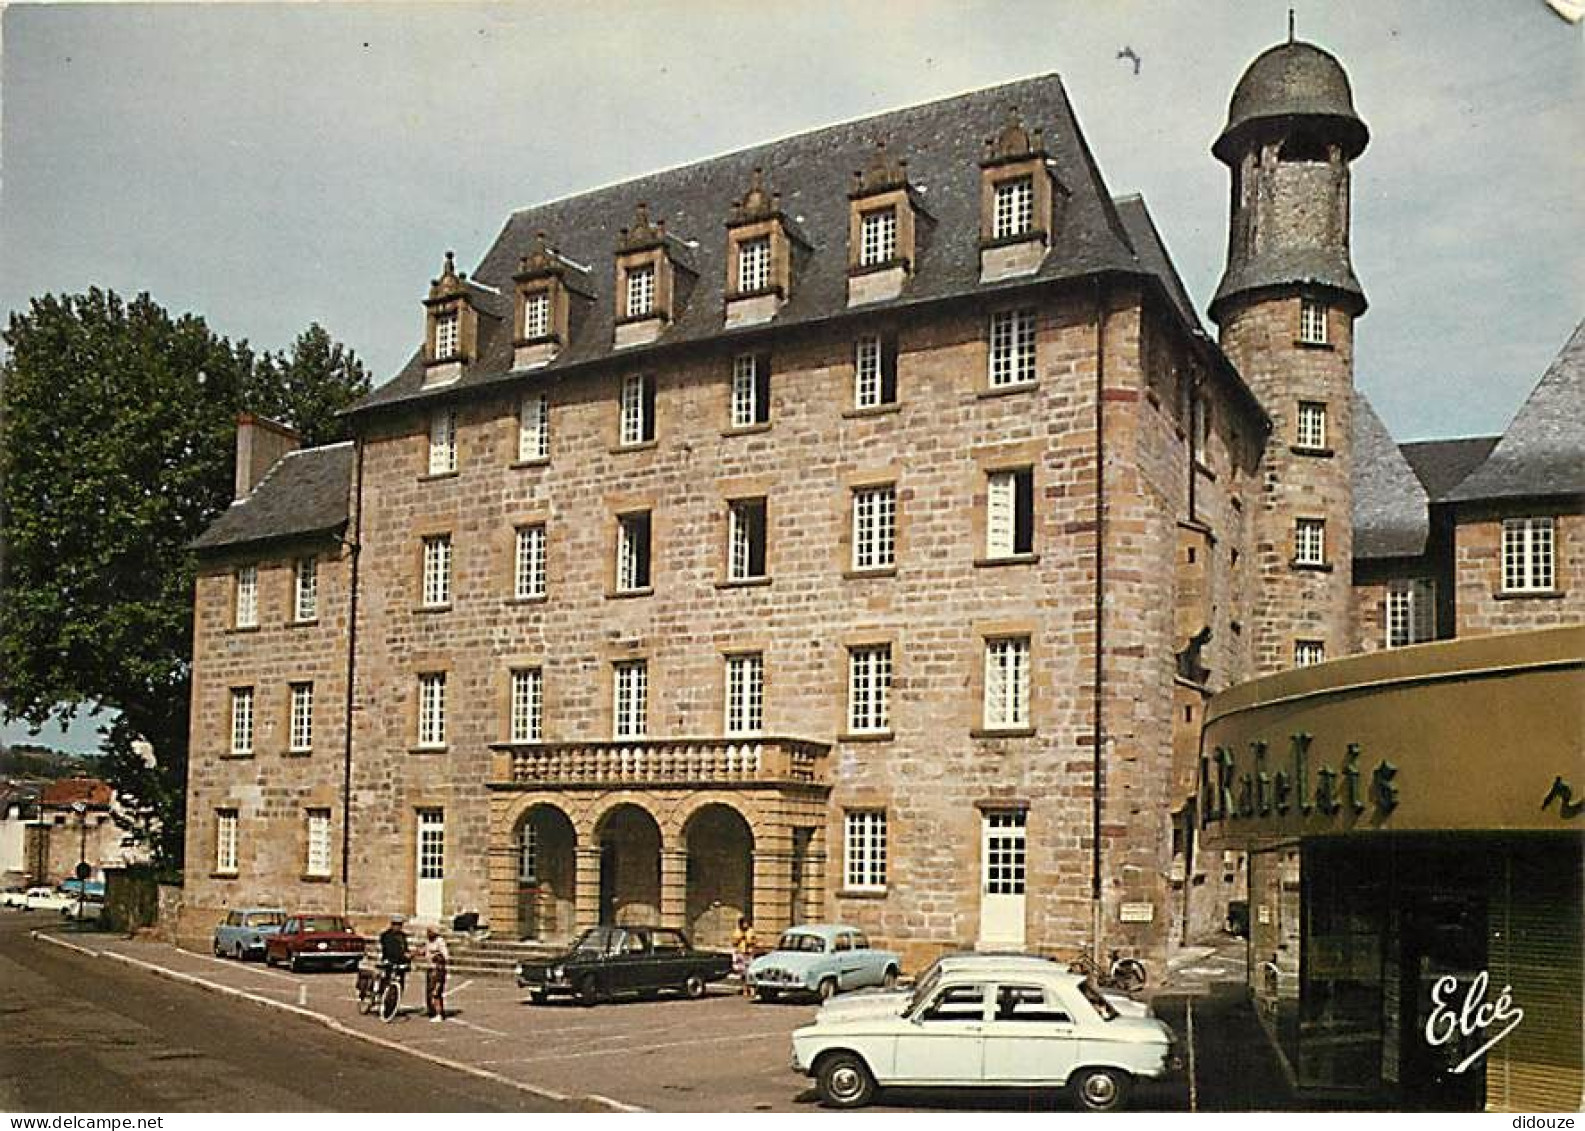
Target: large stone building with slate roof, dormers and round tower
x: 846, y: 528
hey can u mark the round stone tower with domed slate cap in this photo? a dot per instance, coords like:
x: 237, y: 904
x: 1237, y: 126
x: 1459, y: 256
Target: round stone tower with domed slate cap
x: 1286, y: 310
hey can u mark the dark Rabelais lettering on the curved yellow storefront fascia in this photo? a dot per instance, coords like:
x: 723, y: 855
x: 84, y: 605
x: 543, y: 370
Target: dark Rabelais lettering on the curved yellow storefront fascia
x: 1261, y: 791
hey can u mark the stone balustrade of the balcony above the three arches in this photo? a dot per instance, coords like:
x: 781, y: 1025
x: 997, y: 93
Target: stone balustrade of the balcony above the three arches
x: 663, y: 761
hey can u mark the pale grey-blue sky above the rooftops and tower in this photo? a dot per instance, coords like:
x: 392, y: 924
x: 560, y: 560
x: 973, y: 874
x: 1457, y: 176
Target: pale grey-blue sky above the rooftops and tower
x: 270, y: 166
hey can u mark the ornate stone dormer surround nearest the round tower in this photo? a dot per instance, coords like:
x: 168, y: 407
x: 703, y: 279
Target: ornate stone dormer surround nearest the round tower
x: 1015, y: 154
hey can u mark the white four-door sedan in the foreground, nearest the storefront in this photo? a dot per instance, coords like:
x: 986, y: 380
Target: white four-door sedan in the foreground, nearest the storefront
x: 991, y: 1022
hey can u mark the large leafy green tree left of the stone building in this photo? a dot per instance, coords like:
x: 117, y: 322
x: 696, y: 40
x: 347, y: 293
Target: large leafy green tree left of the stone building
x: 116, y: 451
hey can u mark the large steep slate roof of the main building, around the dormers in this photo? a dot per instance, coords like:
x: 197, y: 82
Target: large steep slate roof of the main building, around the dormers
x: 944, y: 145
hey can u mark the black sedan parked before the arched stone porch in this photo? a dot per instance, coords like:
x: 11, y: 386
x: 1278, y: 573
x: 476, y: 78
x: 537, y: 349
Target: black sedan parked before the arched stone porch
x: 614, y: 961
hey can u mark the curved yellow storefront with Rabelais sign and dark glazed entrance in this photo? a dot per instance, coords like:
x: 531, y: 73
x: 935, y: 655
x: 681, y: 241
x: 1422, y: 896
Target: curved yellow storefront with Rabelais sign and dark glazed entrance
x: 1415, y: 824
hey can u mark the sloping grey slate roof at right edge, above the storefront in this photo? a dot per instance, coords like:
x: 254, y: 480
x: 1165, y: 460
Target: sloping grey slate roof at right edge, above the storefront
x: 1543, y: 451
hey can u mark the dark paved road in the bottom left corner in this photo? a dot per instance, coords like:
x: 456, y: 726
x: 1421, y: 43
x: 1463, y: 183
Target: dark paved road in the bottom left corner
x: 85, y: 1035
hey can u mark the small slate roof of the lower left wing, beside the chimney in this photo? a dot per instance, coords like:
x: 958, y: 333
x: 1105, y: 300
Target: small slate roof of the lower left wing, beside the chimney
x: 305, y: 493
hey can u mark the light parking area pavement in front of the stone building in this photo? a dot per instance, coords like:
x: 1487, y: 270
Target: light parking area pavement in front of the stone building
x: 722, y: 1053
